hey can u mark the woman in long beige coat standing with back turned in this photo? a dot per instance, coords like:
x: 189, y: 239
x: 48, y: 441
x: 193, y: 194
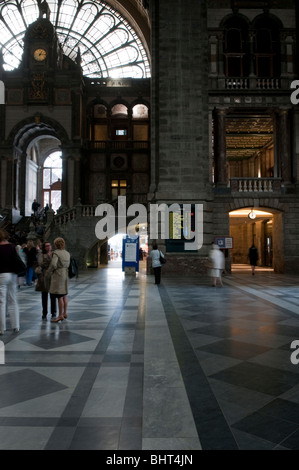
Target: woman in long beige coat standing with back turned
x: 58, y: 272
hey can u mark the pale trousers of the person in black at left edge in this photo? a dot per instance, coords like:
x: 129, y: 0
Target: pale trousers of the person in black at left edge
x: 8, y: 301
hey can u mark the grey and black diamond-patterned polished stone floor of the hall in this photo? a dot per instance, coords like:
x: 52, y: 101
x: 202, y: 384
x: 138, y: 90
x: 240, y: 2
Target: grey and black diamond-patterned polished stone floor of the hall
x: 182, y: 366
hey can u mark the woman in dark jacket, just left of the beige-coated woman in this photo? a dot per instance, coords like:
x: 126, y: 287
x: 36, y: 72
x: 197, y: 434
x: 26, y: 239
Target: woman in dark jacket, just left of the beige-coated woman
x: 43, y: 283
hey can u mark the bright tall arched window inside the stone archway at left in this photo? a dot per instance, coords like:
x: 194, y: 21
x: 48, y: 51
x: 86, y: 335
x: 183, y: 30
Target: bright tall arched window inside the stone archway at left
x: 52, y: 176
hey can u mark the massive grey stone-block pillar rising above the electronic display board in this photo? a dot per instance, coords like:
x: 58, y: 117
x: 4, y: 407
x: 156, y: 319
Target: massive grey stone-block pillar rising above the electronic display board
x: 179, y: 103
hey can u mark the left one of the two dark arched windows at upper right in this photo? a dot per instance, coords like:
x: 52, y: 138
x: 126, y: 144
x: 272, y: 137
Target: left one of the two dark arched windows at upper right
x: 236, y: 47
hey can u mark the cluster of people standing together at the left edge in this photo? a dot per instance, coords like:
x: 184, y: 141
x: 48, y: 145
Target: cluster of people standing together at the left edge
x: 51, y: 269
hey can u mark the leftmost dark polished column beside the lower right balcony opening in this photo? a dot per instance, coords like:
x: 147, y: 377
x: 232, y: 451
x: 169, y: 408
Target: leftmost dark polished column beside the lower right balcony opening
x: 220, y: 148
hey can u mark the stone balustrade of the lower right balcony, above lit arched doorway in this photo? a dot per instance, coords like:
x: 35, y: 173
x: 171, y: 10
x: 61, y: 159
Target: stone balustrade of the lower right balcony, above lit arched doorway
x: 251, y: 185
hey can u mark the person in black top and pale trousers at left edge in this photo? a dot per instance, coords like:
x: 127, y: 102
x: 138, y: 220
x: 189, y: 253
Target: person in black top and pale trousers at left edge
x: 8, y: 284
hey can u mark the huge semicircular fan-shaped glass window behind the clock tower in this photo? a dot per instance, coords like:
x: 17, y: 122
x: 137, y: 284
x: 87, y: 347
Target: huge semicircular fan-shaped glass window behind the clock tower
x: 109, y: 46
